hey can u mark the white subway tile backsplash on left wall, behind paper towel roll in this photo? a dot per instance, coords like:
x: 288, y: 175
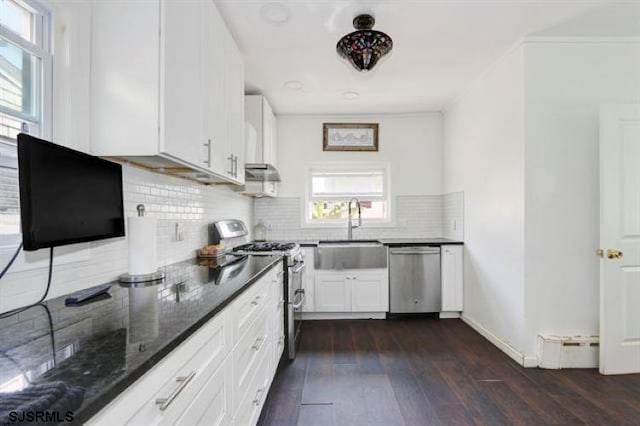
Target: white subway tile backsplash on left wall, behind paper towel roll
x: 167, y: 198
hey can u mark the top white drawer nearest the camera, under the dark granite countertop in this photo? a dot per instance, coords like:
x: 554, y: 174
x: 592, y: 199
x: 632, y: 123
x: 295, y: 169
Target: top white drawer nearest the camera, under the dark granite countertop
x: 177, y: 379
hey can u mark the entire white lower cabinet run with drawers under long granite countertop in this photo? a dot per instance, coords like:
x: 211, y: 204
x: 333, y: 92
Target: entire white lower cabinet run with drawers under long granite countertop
x: 220, y: 375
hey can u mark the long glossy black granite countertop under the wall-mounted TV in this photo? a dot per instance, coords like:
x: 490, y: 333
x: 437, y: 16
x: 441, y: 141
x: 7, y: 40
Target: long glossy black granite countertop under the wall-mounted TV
x: 82, y: 357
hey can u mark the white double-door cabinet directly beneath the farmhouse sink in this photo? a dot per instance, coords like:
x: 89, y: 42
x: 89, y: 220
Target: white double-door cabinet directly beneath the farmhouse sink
x: 352, y: 291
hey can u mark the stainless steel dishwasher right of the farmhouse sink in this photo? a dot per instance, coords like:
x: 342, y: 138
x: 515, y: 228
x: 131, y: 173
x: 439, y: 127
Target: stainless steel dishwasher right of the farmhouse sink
x: 414, y: 279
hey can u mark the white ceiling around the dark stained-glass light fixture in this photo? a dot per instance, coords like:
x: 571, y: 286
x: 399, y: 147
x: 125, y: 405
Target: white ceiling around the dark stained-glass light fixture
x: 438, y: 47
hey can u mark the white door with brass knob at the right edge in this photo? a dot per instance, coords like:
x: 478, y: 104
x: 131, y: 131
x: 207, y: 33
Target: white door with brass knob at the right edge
x: 620, y: 239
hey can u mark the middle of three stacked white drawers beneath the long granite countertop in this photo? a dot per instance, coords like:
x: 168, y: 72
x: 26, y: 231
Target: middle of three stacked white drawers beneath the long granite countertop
x: 246, y: 355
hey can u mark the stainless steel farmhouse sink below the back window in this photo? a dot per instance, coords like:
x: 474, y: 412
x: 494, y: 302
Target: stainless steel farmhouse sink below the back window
x: 350, y: 254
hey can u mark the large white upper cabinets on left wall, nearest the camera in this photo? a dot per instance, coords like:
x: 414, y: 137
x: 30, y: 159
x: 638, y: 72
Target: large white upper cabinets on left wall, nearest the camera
x: 167, y: 88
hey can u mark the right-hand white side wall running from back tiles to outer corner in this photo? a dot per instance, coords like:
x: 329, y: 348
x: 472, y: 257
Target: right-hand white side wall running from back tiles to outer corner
x: 484, y: 157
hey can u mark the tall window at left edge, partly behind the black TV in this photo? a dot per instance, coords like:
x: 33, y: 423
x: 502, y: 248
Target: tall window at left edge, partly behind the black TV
x: 25, y: 86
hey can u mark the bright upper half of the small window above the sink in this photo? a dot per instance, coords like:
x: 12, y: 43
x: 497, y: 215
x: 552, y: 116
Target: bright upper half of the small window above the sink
x: 347, y: 184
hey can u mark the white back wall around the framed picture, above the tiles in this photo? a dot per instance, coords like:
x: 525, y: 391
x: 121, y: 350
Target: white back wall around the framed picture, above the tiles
x: 411, y: 144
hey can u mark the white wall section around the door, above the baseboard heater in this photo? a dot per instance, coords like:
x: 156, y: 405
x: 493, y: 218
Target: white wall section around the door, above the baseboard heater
x: 566, y: 82
